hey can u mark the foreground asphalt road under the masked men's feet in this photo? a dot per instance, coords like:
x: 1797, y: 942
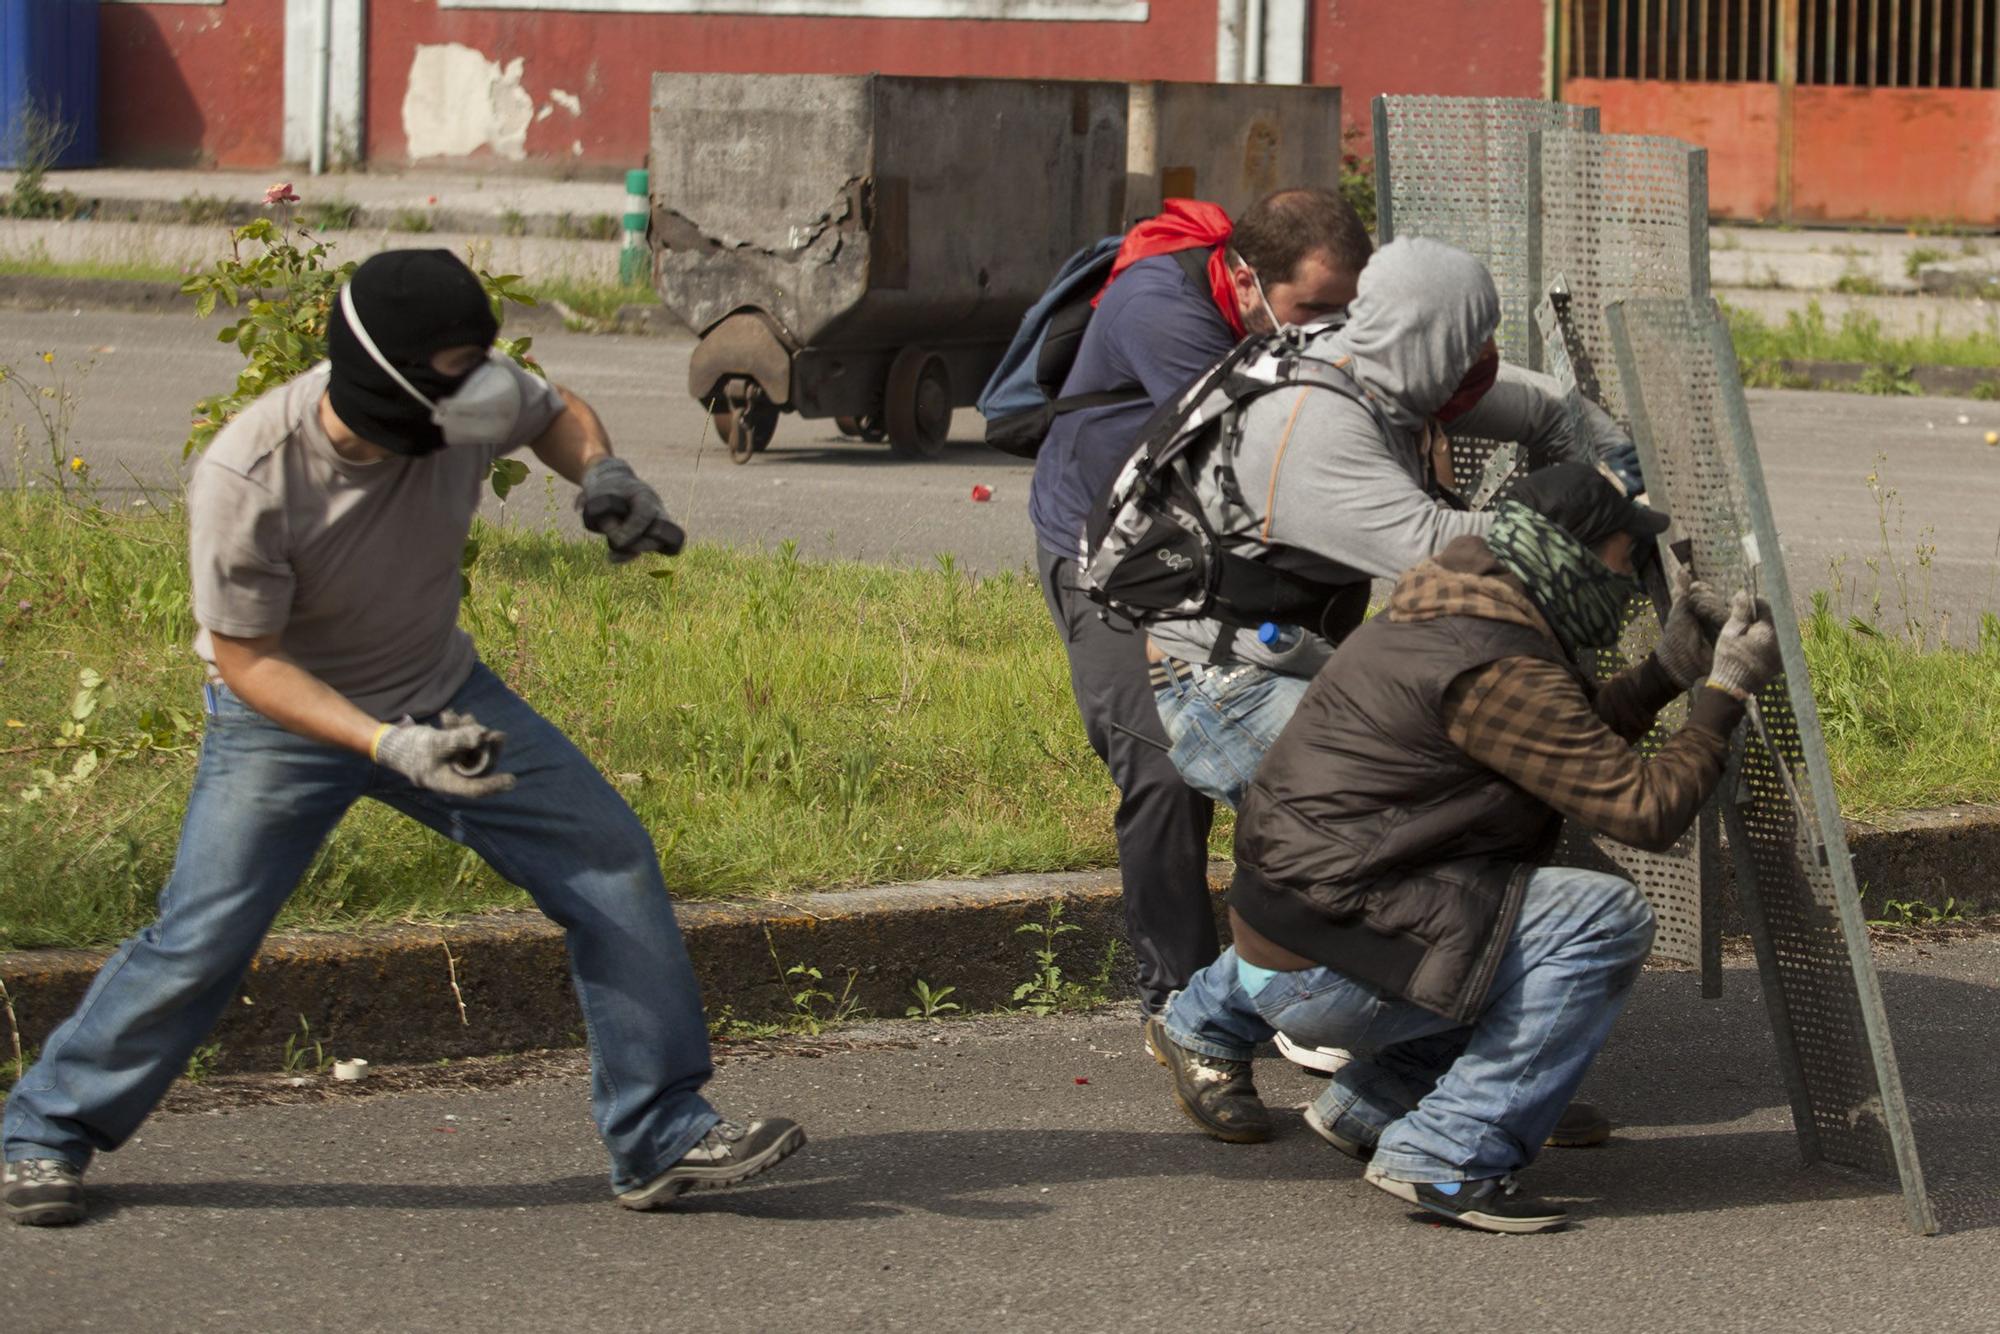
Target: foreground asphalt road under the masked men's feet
x: 1033, y: 1175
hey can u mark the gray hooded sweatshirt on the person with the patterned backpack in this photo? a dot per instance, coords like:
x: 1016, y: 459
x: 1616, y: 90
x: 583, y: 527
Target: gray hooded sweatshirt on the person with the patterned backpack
x: 1317, y: 469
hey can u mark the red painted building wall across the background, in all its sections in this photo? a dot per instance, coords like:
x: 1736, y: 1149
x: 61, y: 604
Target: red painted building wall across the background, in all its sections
x: 207, y: 83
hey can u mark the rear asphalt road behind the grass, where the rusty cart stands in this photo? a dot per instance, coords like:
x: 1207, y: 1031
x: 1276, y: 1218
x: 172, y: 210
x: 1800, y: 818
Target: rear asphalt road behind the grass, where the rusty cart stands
x: 847, y: 499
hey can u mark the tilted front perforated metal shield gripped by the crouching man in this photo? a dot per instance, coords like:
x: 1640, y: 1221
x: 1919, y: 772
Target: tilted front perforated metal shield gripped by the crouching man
x: 1793, y: 871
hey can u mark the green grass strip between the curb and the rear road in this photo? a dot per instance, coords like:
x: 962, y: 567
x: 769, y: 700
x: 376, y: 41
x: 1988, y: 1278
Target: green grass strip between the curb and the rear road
x: 781, y: 725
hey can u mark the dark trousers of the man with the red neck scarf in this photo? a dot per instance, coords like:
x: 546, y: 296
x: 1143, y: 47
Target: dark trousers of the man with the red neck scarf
x: 1163, y: 823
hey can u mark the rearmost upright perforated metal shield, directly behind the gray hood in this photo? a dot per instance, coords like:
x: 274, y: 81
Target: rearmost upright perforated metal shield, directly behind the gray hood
x: 1457, y: 171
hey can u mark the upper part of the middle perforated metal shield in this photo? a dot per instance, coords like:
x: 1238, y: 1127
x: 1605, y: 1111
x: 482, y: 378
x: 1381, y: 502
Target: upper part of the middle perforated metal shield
x: 1617, y: 217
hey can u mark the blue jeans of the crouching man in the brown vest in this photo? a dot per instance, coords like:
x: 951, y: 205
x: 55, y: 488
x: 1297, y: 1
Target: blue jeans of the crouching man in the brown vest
x: 1441, y: 1101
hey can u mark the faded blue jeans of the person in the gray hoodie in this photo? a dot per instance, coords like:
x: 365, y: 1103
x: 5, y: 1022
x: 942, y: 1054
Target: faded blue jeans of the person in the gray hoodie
x: 1223, y: 719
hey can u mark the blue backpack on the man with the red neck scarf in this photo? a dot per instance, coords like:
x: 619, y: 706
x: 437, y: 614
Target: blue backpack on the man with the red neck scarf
x: 1023, y: 397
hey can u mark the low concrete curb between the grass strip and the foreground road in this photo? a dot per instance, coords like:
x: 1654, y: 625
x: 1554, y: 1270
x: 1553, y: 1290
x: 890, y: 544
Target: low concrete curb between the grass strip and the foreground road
x: 389, y: 993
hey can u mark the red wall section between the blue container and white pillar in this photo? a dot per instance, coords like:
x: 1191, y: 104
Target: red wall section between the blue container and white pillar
x: 191, y: 83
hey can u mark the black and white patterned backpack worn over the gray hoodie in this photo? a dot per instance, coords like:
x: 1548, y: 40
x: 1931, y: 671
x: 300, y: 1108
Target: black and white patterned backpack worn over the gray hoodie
x: 1153, y: 553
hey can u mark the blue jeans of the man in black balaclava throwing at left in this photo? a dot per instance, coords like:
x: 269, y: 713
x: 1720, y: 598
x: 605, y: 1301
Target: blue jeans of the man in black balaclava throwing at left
x: 263, y: 803
